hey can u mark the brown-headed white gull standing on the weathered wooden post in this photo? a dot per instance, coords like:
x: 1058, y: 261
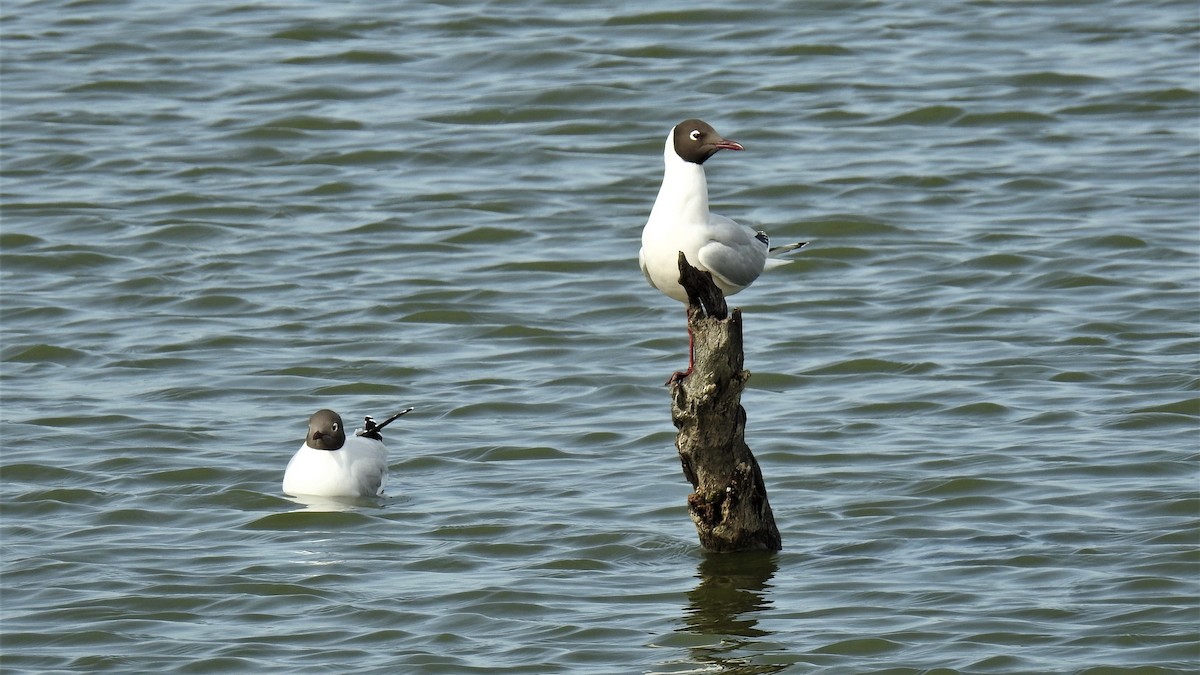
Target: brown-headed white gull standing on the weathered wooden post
x: 681, y: 223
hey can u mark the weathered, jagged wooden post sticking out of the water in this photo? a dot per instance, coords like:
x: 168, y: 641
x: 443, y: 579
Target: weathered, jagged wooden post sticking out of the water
x: 729, y: 504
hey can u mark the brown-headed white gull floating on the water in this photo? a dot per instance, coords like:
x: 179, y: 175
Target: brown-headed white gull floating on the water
x: 333, y: 465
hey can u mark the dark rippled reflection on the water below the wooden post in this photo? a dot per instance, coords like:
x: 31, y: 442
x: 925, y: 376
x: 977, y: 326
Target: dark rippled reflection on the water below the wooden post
x: 734, y: 593
